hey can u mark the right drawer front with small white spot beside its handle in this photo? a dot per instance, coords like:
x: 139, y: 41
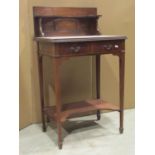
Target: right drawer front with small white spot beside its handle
x: 108, y: 46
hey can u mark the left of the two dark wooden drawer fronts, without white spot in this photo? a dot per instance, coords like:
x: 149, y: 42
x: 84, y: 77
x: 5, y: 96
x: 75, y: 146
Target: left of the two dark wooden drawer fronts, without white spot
x: 72, y: 49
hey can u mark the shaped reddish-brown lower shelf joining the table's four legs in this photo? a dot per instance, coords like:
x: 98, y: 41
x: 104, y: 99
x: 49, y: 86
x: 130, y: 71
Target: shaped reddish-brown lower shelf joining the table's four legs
x: 79, y: 107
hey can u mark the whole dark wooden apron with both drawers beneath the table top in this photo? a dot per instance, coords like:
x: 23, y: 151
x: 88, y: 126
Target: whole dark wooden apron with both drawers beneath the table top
x: 82, y: 48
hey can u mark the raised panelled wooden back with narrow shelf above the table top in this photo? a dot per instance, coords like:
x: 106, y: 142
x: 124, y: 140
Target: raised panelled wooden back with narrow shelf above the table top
x: 65, y: 21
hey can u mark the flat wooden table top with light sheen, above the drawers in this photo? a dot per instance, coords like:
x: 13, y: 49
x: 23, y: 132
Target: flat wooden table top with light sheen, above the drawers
x: 85, y: 38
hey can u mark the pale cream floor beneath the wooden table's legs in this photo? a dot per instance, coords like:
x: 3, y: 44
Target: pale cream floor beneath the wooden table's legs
x: 82, y: 136
